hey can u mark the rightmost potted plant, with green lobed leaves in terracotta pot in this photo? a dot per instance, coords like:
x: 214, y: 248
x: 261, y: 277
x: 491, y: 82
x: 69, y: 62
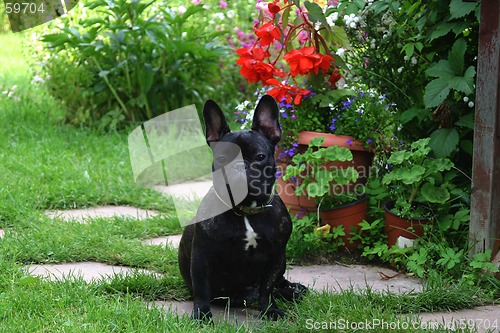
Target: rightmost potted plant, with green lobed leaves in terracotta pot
x: 417, y: 189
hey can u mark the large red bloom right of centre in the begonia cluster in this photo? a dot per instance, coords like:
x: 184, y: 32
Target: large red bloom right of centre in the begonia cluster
x: 304, y: 61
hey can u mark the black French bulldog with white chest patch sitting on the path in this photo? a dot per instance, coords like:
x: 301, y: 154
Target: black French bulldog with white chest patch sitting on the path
x: 238, y: 250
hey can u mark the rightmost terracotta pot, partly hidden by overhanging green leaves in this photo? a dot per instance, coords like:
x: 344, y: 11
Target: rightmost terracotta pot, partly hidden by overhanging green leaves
x: 397, y: 226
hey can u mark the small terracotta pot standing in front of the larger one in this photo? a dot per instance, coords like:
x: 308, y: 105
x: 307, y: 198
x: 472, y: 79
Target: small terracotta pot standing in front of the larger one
x: 349, y: 216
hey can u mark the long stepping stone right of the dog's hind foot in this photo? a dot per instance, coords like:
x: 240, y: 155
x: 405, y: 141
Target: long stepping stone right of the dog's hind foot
x: 336, y: 278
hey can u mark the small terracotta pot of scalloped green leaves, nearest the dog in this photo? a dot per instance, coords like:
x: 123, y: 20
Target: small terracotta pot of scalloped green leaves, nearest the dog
x: 332, y: 185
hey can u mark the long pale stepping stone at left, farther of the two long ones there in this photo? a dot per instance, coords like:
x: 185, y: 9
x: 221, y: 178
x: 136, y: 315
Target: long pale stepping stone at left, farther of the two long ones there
x: 102, y: 212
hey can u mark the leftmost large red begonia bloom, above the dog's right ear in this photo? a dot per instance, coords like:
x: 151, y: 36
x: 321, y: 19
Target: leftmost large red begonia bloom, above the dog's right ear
x: 252, y: 66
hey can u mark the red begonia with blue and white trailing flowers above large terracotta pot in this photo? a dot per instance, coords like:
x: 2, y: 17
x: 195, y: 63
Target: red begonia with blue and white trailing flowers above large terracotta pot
x: 299, y: 64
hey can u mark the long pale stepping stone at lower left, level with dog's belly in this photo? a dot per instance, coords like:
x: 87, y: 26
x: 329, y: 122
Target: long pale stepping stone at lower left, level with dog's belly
x: 89, y: 271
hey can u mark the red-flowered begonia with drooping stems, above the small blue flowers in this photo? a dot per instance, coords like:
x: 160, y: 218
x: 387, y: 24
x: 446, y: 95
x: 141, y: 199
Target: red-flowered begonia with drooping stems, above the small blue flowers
x: 291, y: 48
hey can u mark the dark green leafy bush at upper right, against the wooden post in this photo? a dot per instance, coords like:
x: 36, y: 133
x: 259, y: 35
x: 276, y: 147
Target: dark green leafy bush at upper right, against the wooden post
x: 422, y: 54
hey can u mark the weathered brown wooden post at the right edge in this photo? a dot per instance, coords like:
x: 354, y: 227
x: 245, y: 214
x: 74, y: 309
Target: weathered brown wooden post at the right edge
x: 485, y: 201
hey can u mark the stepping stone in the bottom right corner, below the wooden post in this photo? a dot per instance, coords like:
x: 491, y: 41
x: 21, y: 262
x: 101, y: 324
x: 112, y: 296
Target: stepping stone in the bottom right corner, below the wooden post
x: 484, y: 319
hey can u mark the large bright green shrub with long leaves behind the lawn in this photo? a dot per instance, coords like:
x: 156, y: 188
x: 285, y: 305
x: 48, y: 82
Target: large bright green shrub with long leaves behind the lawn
x: 116, y: 61
